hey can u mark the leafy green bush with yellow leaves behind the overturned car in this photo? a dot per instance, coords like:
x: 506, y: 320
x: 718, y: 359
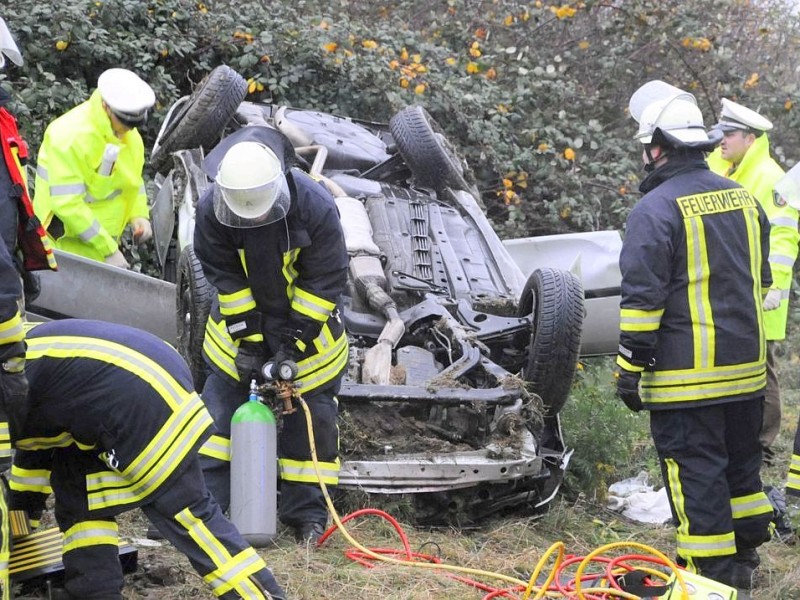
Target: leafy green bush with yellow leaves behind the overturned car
x: 533, y: 93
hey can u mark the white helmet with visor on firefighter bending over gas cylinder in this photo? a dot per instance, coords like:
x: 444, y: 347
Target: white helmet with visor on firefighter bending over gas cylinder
x: 251, y: 188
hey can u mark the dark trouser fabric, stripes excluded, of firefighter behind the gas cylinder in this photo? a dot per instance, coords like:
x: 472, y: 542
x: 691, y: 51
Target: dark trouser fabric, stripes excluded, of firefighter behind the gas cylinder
x: 299, y: 502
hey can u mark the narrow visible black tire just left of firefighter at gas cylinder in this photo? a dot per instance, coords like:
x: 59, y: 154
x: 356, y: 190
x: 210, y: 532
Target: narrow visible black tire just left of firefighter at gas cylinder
x: 193, y: 303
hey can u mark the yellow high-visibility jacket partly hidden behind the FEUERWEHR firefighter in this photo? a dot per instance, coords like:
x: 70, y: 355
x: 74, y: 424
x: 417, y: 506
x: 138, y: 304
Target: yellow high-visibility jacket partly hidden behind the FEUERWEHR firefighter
x: 758, y: 173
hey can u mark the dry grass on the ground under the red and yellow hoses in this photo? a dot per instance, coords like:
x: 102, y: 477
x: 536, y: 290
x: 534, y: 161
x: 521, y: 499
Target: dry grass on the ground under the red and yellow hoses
x: 510, y: 546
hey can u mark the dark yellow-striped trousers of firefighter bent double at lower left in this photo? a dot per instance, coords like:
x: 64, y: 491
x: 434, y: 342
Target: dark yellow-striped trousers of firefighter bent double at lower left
x: 184, y: 512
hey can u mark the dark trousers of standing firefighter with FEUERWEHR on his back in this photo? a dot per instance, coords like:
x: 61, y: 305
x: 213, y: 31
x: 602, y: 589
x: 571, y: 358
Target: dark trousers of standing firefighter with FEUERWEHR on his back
x: 708, y: 455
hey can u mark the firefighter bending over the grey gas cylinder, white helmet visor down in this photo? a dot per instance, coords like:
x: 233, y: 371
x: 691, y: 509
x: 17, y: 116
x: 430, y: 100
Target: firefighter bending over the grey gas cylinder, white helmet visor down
x: 270, y: 241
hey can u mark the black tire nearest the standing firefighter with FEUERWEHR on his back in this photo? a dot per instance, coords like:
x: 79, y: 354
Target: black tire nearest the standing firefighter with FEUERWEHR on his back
x: 554, y: 299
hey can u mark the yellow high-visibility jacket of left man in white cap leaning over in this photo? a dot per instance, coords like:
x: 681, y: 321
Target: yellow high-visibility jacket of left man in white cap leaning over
x: 84, y: 211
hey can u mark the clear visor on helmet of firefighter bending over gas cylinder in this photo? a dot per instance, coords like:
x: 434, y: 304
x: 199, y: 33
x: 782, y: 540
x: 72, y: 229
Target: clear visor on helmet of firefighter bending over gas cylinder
x: 252, y: 207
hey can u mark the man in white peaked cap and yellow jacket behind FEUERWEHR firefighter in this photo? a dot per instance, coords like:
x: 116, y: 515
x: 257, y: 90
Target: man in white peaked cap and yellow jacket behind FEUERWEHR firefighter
x: 744, y: 156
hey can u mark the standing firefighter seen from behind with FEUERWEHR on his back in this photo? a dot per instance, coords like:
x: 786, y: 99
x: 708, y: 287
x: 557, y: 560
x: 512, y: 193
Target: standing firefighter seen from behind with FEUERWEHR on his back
x: 692, y: 343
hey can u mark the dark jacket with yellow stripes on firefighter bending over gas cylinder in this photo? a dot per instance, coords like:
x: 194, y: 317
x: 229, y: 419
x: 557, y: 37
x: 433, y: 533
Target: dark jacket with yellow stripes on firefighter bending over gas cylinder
x: 278, y: 282
